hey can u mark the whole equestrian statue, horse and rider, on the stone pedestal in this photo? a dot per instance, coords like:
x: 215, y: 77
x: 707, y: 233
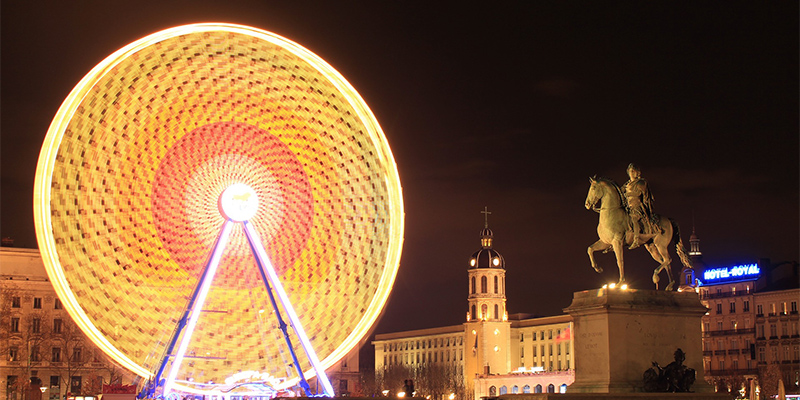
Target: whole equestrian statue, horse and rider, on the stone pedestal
x: 627, y: 219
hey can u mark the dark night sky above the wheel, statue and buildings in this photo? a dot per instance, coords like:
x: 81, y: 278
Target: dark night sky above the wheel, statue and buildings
x: 511, y: 106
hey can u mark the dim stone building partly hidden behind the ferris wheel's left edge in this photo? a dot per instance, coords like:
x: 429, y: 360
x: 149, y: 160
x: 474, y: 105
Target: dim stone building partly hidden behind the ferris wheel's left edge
x: 39, y: 343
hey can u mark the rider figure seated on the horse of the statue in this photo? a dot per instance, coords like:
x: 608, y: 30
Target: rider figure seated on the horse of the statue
x: 640, y: 205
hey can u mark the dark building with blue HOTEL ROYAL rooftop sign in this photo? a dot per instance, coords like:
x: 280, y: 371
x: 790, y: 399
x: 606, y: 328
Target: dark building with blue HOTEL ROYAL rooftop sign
x: 751, y: 332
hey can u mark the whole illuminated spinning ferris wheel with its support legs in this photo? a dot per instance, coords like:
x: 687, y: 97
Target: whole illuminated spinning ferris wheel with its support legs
x: 218, y: 209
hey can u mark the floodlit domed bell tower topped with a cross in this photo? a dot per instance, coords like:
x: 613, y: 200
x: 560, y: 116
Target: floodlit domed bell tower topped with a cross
x: 487, y: 339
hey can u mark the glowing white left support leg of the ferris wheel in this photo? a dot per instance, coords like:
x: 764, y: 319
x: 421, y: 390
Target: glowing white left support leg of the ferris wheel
x: 195, y: 306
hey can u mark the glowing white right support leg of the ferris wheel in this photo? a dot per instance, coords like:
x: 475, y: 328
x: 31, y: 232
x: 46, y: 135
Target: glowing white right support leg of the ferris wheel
x: 267, y: 271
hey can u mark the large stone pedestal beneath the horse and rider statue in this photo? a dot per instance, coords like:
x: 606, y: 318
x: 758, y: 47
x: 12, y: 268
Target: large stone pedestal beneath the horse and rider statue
x: 619, y: 333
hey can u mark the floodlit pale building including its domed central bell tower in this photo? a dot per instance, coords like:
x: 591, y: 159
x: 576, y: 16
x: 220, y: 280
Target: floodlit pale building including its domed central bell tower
x: 490, y: 354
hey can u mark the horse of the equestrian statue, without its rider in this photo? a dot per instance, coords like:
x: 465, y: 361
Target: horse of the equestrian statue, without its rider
x: 615, y: 232
